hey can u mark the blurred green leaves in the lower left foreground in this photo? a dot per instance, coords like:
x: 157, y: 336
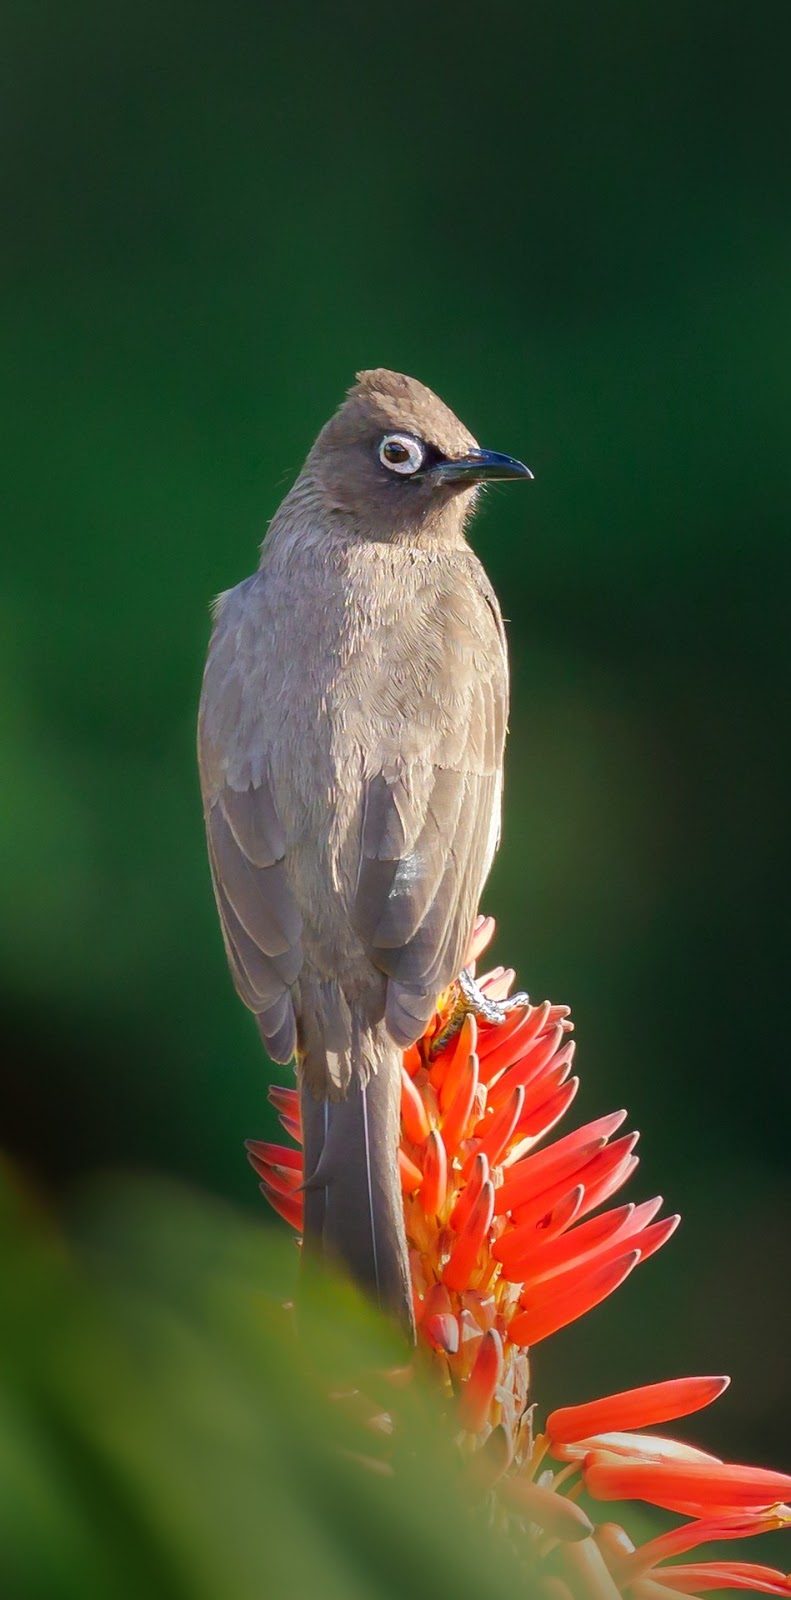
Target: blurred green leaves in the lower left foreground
x: 167, y: 1436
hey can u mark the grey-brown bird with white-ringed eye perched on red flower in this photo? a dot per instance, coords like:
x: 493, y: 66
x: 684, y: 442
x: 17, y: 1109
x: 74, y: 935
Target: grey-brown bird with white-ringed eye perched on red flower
x: 351, y: 737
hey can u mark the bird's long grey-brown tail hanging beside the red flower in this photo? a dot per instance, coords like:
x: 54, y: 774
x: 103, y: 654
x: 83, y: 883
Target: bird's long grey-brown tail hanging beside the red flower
x: 353, y: 1201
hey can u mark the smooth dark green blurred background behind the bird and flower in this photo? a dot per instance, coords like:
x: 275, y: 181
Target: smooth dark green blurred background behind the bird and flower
x: 574, y: 223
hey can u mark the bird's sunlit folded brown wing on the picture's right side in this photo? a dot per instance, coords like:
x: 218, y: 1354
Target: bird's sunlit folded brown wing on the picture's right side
x: 432, y: 809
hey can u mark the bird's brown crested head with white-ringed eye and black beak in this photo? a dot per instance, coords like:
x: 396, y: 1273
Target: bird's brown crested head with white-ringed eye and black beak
x: 398, y: 465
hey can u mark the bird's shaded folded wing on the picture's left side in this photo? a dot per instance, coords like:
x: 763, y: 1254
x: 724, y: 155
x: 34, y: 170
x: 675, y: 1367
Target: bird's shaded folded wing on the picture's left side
x: 262, y: 924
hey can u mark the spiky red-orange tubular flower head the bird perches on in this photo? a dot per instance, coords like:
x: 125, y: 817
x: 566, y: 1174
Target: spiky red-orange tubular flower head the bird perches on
x: 508, y: 1244
